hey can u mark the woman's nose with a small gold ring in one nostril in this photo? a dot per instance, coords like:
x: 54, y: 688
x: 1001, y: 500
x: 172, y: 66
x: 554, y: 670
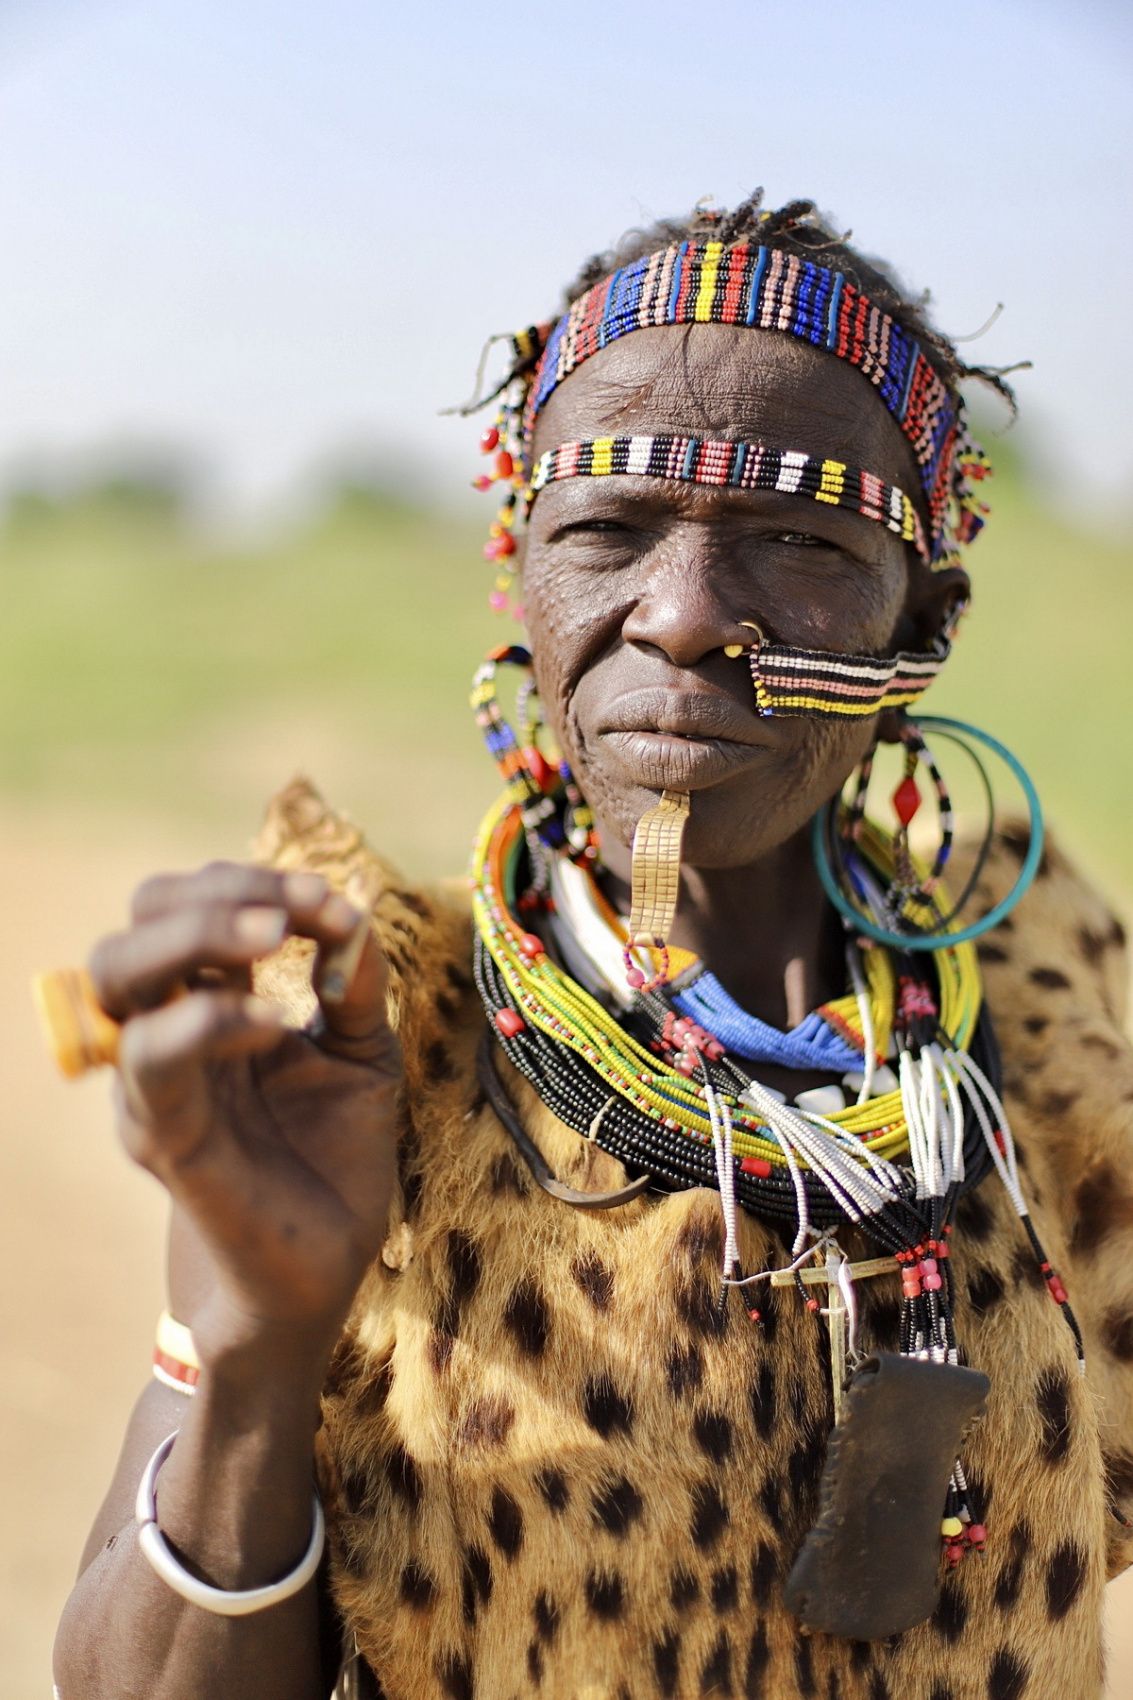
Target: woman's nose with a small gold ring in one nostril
x: 681, y: 609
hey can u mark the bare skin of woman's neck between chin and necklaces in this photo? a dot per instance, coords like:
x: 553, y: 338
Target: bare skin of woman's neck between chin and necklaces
x: 765, y: 929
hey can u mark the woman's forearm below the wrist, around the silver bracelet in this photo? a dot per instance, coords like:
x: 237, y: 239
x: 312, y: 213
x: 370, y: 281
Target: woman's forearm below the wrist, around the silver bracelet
x: 236, y: 1505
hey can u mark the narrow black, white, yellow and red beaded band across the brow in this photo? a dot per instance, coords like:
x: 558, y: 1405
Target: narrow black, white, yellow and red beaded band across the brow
x: 741, y: 467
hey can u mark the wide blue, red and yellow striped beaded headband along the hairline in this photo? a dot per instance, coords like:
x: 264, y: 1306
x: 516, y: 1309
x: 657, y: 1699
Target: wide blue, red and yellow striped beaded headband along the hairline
x: 768, y: 290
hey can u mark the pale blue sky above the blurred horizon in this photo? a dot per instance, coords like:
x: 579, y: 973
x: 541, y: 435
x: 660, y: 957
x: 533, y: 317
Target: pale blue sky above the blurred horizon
x: 273, y: 234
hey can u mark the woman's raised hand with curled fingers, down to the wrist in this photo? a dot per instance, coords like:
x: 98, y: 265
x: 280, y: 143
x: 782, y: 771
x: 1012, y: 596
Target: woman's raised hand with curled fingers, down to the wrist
x: 278, y: 1145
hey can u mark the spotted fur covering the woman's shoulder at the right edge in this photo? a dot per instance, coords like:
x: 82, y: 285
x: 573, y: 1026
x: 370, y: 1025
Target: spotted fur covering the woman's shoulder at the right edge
x: 1056, y: 978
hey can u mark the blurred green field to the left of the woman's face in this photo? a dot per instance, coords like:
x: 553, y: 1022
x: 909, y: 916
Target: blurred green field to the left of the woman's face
x: 145, y: 666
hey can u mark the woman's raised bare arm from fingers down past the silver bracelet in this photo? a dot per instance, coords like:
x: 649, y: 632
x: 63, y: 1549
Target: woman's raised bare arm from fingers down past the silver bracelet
x: 278, y: 1150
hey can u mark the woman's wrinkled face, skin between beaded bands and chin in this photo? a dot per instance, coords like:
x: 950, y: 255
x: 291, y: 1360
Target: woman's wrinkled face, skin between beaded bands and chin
x: 634, y: 586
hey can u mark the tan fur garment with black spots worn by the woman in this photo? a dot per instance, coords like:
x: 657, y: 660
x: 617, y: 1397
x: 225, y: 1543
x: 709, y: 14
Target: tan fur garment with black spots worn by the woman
x: 552, y: 1468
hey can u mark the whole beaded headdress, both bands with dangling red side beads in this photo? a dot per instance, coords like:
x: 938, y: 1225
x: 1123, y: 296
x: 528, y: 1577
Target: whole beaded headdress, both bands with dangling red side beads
x: 761, y: 288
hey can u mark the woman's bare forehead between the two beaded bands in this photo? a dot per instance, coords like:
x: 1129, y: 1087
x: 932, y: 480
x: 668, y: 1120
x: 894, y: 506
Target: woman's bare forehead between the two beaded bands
x: 729, y: 382
